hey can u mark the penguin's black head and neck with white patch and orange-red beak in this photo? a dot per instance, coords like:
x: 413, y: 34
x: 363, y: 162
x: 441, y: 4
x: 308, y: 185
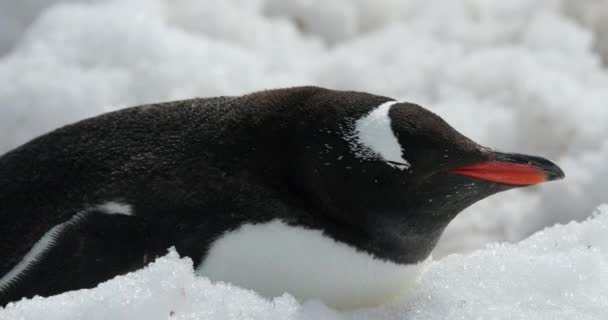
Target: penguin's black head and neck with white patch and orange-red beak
x: 401, y: 174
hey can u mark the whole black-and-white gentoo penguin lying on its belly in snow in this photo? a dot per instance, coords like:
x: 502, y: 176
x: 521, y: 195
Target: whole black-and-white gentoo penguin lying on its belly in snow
x: 333, y: 195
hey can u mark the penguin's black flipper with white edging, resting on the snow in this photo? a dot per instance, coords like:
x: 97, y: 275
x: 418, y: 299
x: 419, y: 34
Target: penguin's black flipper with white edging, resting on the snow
x: 93, y: 246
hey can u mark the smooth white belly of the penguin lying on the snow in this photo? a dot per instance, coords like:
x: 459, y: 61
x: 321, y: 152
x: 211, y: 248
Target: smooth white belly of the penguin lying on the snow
x: 274, y: 258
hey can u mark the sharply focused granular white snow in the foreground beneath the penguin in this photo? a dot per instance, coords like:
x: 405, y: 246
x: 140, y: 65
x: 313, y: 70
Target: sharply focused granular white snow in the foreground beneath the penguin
x: 558, y: 273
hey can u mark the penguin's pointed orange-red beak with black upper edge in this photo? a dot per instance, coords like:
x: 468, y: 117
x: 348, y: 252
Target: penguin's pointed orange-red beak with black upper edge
x: 513, y: 169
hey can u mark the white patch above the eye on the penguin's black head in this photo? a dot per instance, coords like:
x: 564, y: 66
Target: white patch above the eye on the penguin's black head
x: 375, y: 138
